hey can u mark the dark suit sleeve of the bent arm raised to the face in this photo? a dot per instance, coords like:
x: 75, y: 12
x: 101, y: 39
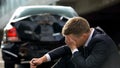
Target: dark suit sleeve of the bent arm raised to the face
x: 94, y: 60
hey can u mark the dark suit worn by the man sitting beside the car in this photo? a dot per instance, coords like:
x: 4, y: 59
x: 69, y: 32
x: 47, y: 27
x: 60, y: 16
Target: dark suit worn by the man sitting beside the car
x: 101, y: 52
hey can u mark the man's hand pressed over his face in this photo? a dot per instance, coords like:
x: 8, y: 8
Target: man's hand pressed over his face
x: 70, y: 42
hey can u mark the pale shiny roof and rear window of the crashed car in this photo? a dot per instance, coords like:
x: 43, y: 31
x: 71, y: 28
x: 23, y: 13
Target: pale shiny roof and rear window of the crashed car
x: 66, y: 11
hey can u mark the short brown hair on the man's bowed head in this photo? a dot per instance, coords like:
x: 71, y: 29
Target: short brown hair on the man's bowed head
x: 76, y: 26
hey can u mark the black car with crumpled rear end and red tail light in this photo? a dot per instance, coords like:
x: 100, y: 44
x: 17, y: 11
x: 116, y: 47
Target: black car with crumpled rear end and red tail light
x: 33, y: 31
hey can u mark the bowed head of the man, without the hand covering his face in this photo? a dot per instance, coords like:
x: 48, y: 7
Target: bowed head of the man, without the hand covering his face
x: 78, y: 29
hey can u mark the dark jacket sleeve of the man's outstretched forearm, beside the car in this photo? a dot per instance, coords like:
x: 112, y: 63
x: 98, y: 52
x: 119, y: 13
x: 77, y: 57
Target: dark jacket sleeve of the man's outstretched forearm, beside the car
x: 59, y: 52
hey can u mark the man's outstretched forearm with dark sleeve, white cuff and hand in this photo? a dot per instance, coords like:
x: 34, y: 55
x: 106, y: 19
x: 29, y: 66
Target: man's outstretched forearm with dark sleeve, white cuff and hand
x: 53, y: 54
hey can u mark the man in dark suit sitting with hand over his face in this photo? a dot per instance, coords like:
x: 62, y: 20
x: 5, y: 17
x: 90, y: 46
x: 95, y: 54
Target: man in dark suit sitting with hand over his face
x: 85, y: 47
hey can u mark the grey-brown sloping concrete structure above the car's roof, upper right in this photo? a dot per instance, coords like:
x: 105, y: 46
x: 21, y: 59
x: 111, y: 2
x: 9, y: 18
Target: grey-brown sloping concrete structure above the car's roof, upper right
x: 87, y: 6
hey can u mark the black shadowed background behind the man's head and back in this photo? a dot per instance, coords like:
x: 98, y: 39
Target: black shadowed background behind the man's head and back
x: 107, y: 18
